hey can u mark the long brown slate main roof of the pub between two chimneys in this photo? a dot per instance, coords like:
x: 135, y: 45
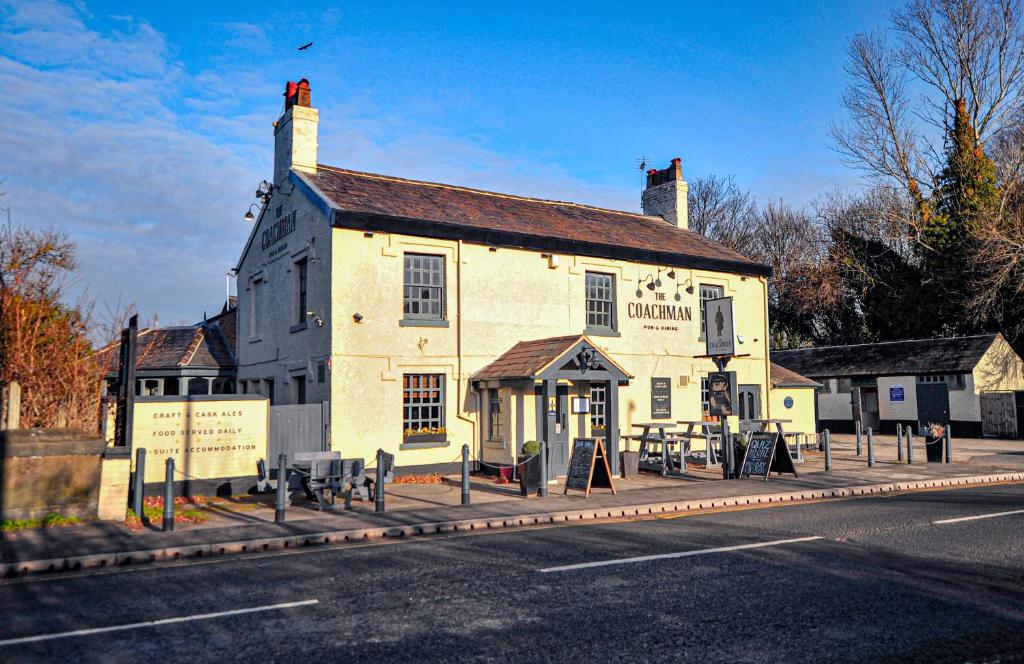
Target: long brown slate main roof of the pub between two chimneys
x: 391, y: 204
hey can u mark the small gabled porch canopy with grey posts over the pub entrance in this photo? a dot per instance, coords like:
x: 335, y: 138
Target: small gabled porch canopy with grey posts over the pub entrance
x: 544, y: 363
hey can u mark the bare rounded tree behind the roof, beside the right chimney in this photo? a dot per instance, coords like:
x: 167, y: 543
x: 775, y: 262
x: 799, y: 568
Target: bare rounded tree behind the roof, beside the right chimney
x: 722, y: 212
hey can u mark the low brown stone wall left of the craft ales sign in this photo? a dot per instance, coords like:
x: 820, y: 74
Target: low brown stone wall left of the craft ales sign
x: 50, y: 471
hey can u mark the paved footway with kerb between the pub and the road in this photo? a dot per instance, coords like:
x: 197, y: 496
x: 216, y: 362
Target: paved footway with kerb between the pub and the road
x: 238, y: 519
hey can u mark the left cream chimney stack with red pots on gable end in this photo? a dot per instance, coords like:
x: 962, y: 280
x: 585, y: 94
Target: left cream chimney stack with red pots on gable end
x: 295, y: 134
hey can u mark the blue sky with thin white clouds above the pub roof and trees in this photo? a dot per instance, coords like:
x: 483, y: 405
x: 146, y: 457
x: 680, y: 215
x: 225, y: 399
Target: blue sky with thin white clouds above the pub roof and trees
x: 143, y: 131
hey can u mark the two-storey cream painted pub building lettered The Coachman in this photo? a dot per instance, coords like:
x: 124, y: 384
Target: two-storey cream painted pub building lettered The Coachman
x: 432, y: 316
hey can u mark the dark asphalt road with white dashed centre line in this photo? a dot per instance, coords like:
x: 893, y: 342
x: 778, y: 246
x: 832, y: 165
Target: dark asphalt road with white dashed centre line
x: 882, y: 583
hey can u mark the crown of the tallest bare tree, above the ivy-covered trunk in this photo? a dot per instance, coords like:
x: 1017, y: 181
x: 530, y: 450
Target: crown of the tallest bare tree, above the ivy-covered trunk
x: 955, y: 52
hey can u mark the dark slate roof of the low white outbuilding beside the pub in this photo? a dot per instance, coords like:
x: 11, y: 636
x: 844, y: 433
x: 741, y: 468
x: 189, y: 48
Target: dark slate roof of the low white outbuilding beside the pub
x: 911, y: 357
